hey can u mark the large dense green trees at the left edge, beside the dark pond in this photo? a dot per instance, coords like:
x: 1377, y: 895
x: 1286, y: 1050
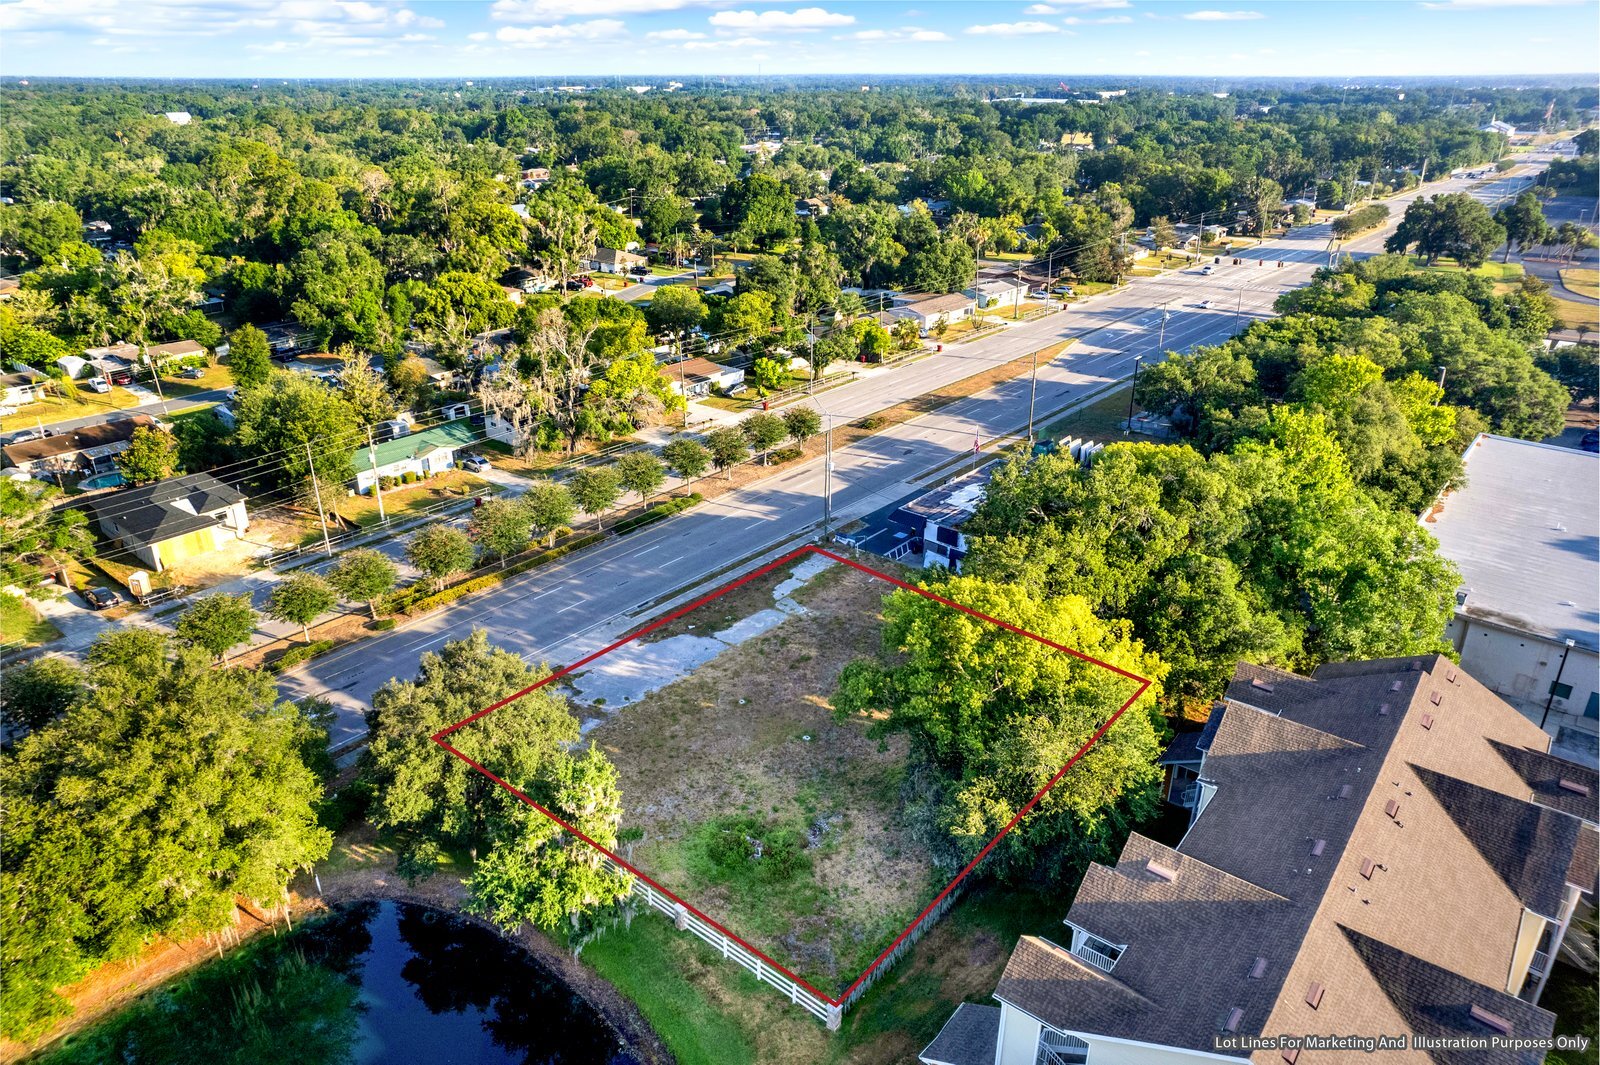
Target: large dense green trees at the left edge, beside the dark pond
x: 164, y: 792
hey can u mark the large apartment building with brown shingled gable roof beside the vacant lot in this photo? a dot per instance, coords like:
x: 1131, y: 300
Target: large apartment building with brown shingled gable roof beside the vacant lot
x: 1383, y: 848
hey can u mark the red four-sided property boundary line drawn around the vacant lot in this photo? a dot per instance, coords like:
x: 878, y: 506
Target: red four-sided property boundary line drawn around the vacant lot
x: 1143, y: 684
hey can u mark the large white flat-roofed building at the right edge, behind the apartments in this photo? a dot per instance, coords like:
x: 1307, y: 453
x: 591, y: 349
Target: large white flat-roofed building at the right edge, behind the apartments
x: 1526, y: 535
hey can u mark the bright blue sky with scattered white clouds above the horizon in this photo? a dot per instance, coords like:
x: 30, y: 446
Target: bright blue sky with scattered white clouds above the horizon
x: 710, y: 38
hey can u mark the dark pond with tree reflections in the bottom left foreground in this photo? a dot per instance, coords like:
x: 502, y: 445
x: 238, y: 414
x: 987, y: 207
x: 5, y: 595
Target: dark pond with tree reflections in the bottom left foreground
x: 372, y: 984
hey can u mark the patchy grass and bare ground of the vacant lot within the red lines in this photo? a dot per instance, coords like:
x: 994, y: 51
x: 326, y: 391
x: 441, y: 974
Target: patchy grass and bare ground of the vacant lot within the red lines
x: 748, y: 799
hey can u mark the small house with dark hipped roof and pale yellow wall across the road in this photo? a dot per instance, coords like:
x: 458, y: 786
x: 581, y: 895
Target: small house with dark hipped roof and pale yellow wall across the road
x: 172, y: 521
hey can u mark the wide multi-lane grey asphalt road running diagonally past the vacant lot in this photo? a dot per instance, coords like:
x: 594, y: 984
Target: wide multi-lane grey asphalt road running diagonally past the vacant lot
x: 574, y: 607
